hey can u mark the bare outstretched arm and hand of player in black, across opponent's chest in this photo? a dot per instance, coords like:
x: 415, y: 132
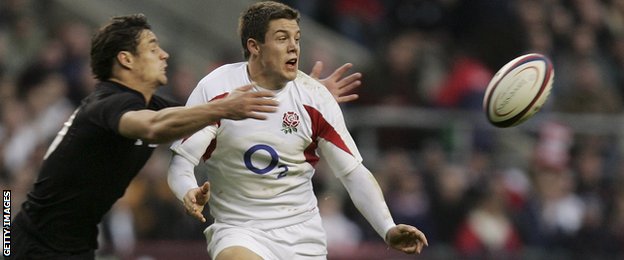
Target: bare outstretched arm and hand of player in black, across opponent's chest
x: 177, y: 122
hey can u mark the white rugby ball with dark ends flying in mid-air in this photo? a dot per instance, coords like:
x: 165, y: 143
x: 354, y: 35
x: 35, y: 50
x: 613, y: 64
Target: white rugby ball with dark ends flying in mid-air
x: 518, y: 90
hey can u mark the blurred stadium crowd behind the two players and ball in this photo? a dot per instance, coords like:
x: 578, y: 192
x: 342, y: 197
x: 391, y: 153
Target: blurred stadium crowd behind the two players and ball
x: 550, y: 188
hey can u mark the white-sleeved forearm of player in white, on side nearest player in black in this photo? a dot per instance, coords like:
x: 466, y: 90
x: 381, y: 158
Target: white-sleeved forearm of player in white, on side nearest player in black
x: 181, y: 177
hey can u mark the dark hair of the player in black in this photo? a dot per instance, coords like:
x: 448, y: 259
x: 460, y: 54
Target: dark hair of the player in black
x: 122, y: 33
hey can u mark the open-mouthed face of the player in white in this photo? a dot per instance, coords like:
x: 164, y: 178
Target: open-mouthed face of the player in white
x: 279, y: 53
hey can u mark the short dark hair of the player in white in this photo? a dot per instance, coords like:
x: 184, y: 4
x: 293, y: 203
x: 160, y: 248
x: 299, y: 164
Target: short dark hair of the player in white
x: 254, y: 22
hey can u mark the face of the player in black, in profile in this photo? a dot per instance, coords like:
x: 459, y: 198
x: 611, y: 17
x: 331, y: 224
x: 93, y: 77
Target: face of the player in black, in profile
x: 151, y: 60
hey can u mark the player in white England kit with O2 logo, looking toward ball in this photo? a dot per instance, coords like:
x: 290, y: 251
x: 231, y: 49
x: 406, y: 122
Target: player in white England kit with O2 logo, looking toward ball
x: 259, y: 173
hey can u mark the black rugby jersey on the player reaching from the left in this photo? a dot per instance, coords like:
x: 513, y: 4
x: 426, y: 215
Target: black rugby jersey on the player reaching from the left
x: 88, y: 168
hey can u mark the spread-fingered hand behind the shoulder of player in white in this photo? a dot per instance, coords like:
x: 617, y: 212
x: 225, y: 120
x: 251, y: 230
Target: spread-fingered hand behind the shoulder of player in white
x: 339, y: 87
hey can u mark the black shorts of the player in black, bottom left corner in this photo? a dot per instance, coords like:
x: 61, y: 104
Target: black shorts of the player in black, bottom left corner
x: 26, y: 245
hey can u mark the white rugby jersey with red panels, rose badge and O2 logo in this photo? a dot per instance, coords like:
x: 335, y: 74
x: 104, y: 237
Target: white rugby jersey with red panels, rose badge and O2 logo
x: 260, y: 170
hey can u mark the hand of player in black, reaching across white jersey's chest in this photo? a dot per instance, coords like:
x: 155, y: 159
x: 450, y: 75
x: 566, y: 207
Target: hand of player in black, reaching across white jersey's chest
x: 243, y: 103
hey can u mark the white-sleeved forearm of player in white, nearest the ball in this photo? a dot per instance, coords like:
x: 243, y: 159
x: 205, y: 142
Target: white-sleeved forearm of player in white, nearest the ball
x: 368, y: 198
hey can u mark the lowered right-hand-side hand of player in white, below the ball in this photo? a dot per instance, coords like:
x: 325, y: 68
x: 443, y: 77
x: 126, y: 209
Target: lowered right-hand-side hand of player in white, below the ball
x: 406, y: 239
